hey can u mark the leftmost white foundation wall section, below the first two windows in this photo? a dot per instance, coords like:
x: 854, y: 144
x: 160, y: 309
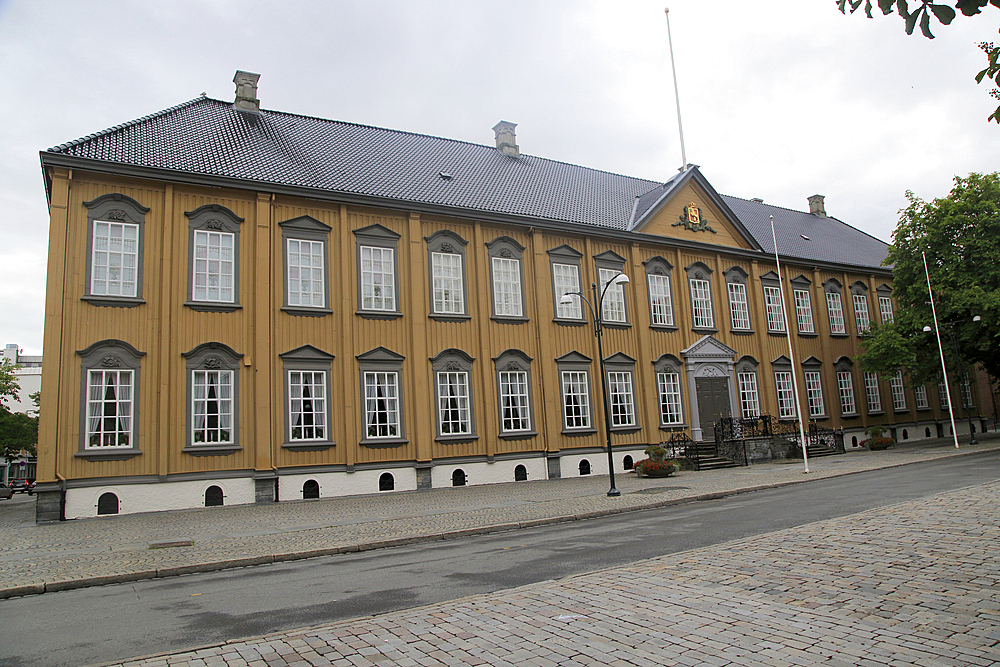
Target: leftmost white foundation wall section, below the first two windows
x: 134, y: 498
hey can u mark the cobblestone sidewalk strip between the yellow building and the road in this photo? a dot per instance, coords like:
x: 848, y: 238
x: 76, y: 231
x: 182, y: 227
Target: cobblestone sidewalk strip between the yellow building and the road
x: 51, y: 557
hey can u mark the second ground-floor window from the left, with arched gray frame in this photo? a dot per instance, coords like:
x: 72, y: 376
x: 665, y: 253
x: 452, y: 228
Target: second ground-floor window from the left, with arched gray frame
x: 213, y: 400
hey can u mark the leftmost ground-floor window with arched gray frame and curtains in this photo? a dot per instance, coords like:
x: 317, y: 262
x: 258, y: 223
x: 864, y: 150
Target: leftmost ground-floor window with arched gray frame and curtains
x: 109, y: 400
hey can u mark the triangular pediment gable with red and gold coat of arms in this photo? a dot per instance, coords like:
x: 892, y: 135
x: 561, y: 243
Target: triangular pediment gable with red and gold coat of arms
x: 690, y: 209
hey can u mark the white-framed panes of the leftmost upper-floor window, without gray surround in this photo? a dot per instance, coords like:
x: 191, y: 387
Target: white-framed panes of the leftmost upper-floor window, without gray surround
x: 115, y: 260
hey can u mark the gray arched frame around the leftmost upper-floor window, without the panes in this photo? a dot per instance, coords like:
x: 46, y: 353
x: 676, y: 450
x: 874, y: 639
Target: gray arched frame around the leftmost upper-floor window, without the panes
x: 115, y: 208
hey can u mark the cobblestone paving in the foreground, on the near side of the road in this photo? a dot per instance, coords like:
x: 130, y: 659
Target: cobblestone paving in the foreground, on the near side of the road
x: 911, y: 584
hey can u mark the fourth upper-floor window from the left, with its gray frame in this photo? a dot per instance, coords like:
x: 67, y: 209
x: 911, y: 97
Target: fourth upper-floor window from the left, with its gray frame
x: 378, y: 278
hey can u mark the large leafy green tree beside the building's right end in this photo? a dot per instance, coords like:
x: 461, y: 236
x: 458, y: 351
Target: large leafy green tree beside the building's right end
x: 959, y: 236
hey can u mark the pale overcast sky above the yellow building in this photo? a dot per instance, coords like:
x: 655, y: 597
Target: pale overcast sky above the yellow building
x: 780, y: 99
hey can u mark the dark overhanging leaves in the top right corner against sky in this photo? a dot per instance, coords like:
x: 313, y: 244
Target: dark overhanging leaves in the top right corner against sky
x: 944, y: 15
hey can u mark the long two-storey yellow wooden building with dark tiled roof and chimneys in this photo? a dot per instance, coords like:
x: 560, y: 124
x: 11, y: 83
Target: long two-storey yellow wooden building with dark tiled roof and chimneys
x: 252, y: 306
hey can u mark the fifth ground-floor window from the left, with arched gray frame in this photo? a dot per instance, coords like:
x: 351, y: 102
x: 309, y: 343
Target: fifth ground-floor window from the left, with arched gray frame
x: 452, y: 369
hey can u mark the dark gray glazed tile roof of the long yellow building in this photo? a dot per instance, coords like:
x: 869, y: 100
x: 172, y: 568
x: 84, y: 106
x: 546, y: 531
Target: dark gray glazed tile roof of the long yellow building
x: 209, y: 137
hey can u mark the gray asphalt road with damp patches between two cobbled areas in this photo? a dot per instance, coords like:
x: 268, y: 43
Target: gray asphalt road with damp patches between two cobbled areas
x: 93, y: 625
